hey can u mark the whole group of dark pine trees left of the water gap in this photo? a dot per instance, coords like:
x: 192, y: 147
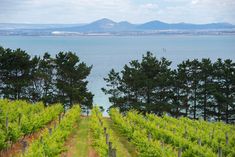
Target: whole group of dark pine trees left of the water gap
x: 60, y: 79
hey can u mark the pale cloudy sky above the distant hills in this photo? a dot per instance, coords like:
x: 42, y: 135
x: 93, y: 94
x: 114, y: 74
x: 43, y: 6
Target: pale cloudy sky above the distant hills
x: 135, y: 11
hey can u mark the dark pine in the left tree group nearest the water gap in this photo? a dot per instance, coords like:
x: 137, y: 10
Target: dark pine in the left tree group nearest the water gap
x: 70, y: 81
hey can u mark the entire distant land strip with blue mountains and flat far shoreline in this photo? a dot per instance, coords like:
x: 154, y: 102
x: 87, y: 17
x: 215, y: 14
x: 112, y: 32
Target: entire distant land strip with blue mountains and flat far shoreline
x: 109, y: 27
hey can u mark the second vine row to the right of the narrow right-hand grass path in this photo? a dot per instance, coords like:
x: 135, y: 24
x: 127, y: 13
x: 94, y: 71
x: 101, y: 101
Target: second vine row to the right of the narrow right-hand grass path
x: 160, y: 134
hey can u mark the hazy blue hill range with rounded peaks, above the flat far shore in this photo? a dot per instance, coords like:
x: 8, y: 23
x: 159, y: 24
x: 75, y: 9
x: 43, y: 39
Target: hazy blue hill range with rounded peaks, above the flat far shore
x: 106, y: 25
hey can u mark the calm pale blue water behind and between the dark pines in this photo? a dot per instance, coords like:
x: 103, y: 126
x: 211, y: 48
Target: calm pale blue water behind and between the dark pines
x: 106, y: 52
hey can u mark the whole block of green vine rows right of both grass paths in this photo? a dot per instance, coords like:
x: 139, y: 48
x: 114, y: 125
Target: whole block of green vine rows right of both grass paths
x: 193, y: 138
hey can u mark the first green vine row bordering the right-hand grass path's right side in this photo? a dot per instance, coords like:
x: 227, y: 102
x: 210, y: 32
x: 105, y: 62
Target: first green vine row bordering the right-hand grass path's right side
x: 138, y: 135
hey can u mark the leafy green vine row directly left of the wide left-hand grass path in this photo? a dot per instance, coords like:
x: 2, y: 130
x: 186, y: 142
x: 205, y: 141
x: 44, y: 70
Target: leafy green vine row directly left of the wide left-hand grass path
x: 52, y: 144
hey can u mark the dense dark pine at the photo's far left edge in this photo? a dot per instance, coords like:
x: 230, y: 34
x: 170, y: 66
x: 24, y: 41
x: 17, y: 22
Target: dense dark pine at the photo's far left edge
x: 15, y: 73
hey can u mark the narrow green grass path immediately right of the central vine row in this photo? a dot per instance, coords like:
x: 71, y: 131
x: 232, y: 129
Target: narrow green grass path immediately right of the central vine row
x: 124, y: 148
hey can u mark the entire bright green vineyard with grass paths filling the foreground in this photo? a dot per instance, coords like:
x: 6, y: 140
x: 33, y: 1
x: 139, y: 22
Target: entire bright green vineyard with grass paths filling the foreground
x: 66, y: 133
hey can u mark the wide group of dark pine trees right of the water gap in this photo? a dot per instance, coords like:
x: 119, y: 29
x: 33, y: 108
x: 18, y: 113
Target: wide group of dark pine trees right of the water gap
x: 196, y: 89
